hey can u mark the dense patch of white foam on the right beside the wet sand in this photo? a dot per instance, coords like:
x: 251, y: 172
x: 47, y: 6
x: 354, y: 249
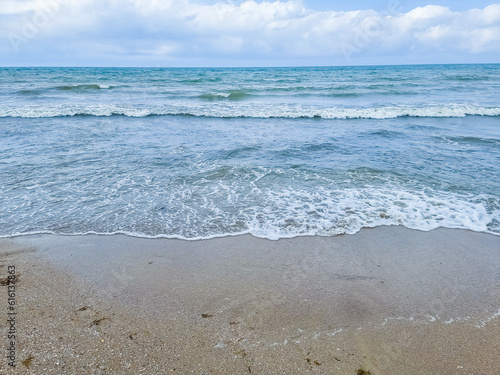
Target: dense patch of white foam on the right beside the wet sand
x: 348, y: 211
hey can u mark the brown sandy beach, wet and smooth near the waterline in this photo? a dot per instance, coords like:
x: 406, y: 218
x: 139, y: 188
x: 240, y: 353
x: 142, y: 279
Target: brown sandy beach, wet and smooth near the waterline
x: 388, y: 300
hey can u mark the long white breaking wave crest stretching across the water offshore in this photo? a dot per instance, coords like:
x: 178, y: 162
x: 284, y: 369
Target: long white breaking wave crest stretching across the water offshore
x: 253, y: 110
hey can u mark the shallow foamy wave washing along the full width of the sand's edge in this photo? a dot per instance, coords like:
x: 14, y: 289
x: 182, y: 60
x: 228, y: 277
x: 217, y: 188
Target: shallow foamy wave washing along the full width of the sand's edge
x: 287, y: 213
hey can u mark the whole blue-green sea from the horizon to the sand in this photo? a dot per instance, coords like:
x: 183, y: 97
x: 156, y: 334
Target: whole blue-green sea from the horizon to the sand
x: 276, y: 152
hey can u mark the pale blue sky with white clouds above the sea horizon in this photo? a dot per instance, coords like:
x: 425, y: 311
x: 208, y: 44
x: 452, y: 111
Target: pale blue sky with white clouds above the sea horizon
x: 247, y: 33
